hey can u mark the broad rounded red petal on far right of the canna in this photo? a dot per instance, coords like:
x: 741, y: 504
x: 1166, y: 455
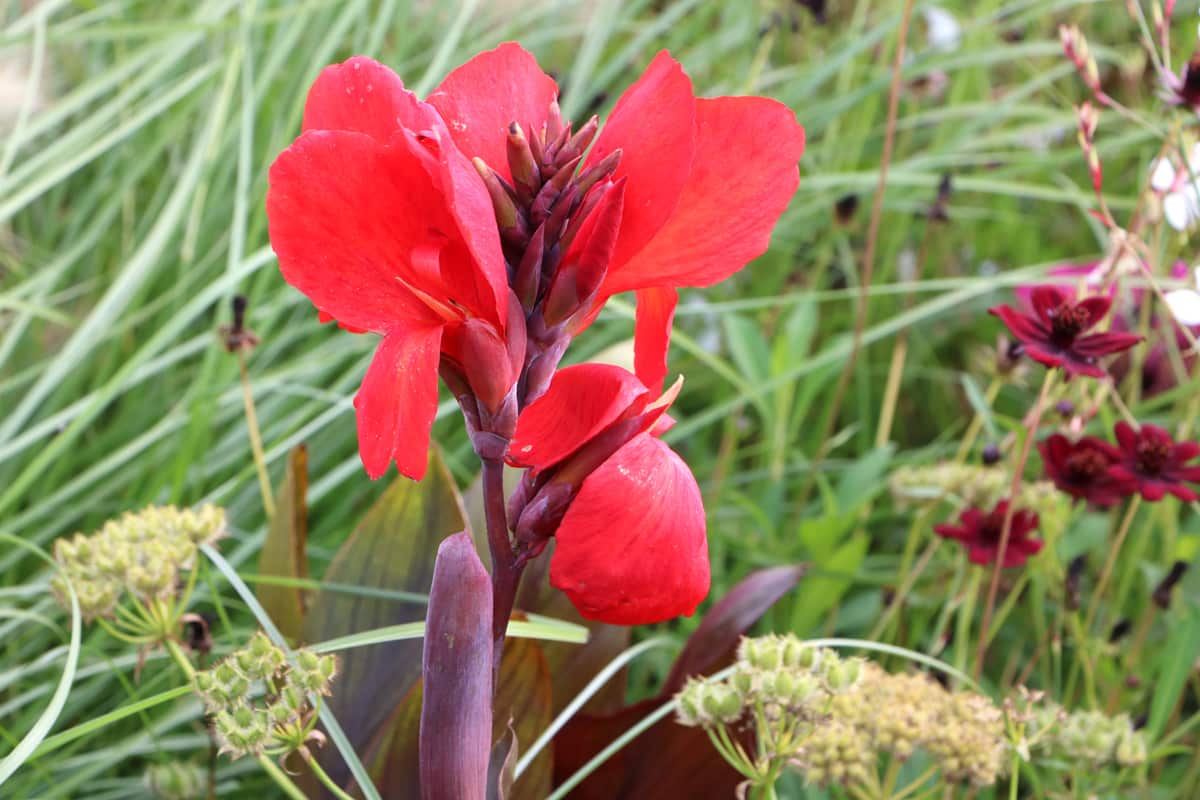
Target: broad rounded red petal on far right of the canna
x: 742, y: 178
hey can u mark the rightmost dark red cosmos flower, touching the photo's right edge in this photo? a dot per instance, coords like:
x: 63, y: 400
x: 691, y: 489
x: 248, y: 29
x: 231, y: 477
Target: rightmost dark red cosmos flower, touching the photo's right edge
x: 1153, y: 464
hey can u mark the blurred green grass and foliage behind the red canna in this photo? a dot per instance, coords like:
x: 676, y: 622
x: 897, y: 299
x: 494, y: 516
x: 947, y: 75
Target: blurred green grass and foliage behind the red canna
x: 133, y: 175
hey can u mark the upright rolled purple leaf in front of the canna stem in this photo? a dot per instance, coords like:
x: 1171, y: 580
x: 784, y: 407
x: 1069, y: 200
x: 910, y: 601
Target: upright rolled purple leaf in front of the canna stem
x: 457, y: 673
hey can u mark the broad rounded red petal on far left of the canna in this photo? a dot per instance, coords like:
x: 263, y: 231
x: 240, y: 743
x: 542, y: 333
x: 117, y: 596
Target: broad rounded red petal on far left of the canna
x: 350, y: 221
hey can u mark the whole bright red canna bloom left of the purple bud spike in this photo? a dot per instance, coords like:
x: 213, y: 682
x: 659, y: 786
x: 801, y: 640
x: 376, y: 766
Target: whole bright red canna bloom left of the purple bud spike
x: 385, y: 224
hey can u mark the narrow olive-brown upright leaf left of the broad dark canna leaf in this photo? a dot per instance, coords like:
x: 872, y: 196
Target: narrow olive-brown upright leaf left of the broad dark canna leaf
x: 284, y: 550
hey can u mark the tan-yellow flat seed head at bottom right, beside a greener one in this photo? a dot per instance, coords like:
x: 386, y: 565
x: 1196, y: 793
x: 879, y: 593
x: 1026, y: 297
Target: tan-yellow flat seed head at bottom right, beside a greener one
x: 901, y: 714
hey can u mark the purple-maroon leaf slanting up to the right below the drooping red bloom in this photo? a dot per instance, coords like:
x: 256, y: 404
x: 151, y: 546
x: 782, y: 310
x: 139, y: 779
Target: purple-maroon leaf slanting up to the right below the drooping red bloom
x: 728, y: 621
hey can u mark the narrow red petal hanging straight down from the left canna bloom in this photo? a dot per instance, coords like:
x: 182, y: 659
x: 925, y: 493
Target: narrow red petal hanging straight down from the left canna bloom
x: 399, y: 400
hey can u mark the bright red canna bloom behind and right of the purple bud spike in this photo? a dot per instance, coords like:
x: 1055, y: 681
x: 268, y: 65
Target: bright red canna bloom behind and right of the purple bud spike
x: 705, y: 181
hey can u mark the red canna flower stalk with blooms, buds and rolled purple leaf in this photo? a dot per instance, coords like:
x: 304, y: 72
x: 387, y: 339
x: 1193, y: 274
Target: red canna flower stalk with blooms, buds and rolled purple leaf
x: 477, y: 234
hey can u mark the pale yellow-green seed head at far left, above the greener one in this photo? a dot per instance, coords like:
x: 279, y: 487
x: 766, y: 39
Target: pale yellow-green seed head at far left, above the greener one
x: 141, y: 554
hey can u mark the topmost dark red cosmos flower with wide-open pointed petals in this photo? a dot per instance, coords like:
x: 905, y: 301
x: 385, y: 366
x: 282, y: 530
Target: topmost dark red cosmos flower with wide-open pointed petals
x: 1055, y: 334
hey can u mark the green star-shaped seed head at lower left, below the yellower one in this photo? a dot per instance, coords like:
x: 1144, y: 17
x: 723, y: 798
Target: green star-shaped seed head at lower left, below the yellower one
x: 261, y: 703
